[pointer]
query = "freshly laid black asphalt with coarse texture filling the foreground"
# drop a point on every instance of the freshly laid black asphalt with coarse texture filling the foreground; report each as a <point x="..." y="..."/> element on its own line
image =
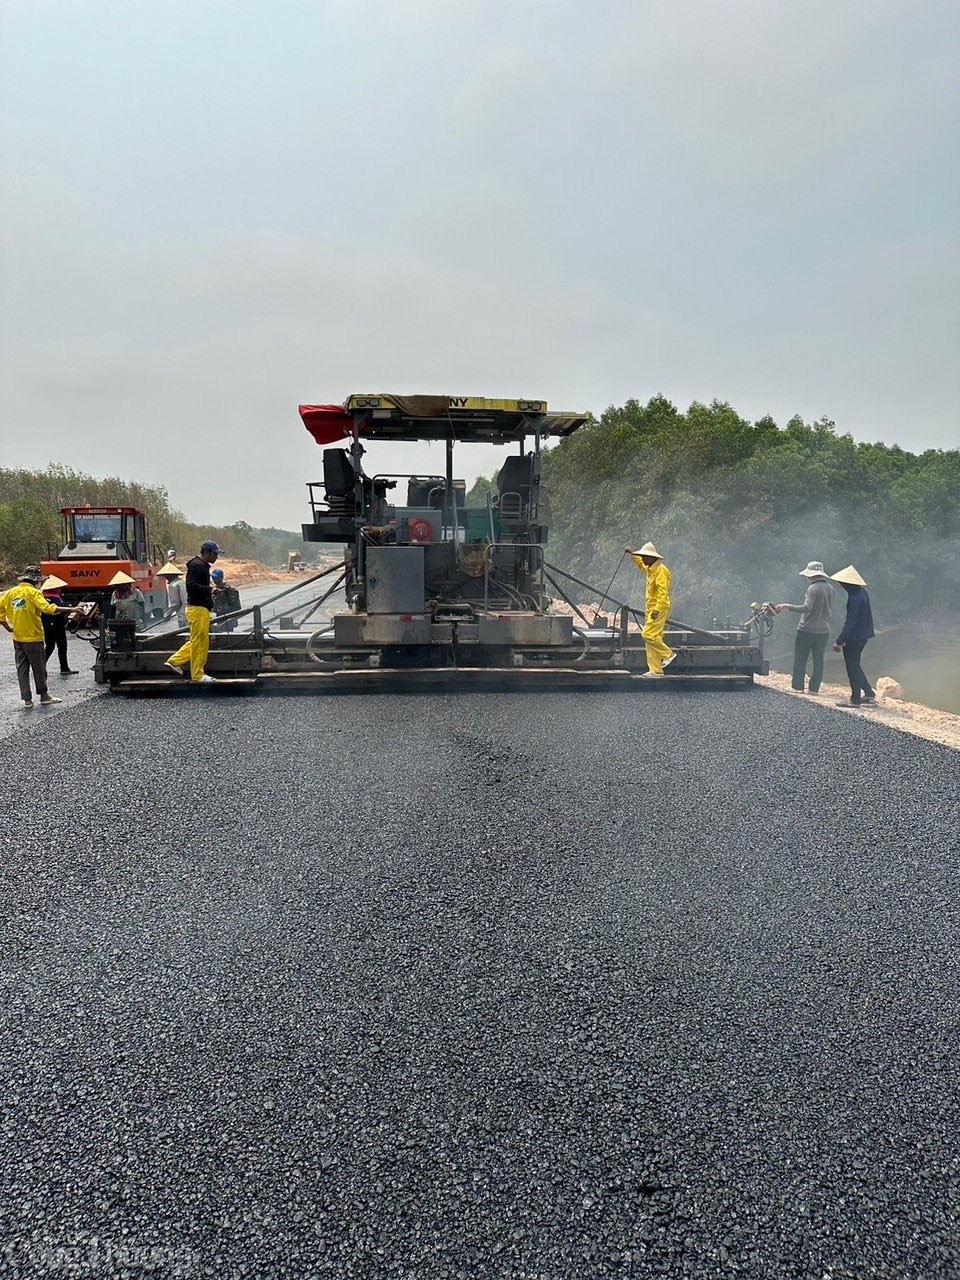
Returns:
<point x="520" y="988"/>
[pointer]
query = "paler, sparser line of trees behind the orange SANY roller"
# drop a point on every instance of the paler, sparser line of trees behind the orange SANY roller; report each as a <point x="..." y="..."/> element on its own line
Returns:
<point x="30" y="519"/>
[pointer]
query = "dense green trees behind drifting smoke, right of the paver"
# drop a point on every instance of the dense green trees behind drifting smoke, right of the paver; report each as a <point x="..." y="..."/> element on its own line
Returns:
<point x="739" y="508"/>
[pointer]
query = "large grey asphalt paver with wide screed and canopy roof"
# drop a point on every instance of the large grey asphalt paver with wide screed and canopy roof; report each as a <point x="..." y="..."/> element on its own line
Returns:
<point x="429" y="589"/>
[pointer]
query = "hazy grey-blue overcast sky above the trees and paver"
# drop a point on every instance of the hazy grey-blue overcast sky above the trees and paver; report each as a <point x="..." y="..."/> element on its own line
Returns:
<point x="216" y="212"/>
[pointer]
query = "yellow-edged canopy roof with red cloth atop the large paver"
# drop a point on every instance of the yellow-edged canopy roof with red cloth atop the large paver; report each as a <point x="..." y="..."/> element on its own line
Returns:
<point x="436" y="418"/>
